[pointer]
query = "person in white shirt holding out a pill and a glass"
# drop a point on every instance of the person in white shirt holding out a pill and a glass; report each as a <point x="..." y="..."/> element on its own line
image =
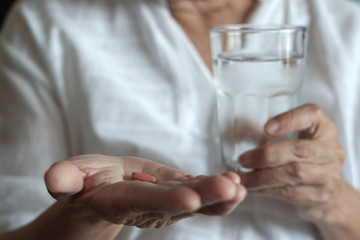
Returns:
<point x="133" y="78"/>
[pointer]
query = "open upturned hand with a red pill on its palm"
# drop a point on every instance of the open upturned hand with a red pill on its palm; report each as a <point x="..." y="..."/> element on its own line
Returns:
<point x="103" y="185"/>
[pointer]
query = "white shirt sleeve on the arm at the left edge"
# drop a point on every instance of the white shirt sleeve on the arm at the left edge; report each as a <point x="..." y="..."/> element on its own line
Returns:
<point x="32" y="128"/>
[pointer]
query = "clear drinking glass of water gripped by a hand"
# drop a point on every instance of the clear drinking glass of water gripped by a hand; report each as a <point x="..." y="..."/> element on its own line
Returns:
<point x="258" y="72"/>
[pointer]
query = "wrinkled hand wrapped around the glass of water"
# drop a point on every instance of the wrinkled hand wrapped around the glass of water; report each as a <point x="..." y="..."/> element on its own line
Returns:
<point x="307" y="171"/>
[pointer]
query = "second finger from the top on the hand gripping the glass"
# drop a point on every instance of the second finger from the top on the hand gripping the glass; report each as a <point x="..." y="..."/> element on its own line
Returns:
<point x="280" y="153"/>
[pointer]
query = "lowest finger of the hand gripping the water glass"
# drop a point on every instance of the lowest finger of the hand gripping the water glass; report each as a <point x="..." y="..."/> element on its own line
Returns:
<point x="302" y="195"/>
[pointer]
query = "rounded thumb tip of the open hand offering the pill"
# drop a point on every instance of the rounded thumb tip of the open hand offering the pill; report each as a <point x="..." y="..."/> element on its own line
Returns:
<point x="64" y="179"/>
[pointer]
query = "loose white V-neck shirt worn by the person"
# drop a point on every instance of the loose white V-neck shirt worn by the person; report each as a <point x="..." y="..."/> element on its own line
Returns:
<point x="122" y="78"/>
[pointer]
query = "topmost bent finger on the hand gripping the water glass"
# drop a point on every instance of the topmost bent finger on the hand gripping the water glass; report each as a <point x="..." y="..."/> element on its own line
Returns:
<point x="309" y="118"/>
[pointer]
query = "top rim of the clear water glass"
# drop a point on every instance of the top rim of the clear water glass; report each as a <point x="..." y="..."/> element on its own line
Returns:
<point x="256" y="28"/>
